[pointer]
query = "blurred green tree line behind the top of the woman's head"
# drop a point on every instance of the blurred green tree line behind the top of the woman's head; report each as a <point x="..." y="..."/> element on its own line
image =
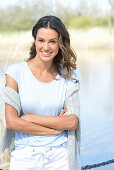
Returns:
<point x="24" y="16"/>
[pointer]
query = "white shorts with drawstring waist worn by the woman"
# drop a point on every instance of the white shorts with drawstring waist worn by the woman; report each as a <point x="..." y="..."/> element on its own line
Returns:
<point x="39" y="158"/>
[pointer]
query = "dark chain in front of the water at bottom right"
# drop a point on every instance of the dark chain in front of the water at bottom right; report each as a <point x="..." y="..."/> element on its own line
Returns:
<point x="97" y="165"/>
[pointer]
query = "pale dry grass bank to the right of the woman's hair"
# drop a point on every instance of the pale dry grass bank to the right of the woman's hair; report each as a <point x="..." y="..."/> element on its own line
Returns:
<point x="94" y="39"/>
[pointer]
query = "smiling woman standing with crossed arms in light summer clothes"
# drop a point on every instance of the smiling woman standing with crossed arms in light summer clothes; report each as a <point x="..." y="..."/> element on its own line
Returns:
<point x="49" y="115"/>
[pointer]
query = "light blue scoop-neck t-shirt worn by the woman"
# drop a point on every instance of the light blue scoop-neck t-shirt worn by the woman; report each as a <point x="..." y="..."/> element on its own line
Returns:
<point x="42" y="99"/>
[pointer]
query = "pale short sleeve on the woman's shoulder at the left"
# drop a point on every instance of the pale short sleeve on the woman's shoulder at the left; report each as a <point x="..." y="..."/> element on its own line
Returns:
<point x="12" y="71"/>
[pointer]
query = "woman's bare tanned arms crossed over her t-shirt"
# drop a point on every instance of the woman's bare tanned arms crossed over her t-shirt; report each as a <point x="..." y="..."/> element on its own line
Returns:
<point x="37" y="124"/>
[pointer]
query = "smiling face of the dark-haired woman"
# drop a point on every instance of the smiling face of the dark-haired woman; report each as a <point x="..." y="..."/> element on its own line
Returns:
<point x="47" y="44"/>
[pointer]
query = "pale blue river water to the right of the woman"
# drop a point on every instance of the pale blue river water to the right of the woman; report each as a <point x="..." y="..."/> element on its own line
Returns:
<point x="95" y="71"/>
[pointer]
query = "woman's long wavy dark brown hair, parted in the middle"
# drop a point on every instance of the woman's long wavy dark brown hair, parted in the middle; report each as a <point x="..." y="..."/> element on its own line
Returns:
<point x="65" y="60"/>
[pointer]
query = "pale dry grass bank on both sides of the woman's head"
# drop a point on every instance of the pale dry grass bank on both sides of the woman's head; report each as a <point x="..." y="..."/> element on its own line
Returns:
<point x="15" y="47"/>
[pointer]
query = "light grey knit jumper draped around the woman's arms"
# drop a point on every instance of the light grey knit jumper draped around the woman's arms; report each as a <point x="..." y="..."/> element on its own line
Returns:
<point x="11" y="97"/>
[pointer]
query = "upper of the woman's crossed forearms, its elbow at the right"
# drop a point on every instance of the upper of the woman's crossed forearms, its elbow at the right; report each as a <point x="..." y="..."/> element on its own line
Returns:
<point x="66" y="122"/>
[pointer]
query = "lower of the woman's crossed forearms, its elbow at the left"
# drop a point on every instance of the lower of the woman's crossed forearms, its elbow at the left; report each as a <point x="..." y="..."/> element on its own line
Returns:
<point x="15" y="123"/>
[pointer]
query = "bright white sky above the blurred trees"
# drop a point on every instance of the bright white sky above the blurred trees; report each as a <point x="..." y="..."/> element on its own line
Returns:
<point x="103" y="5"/>
